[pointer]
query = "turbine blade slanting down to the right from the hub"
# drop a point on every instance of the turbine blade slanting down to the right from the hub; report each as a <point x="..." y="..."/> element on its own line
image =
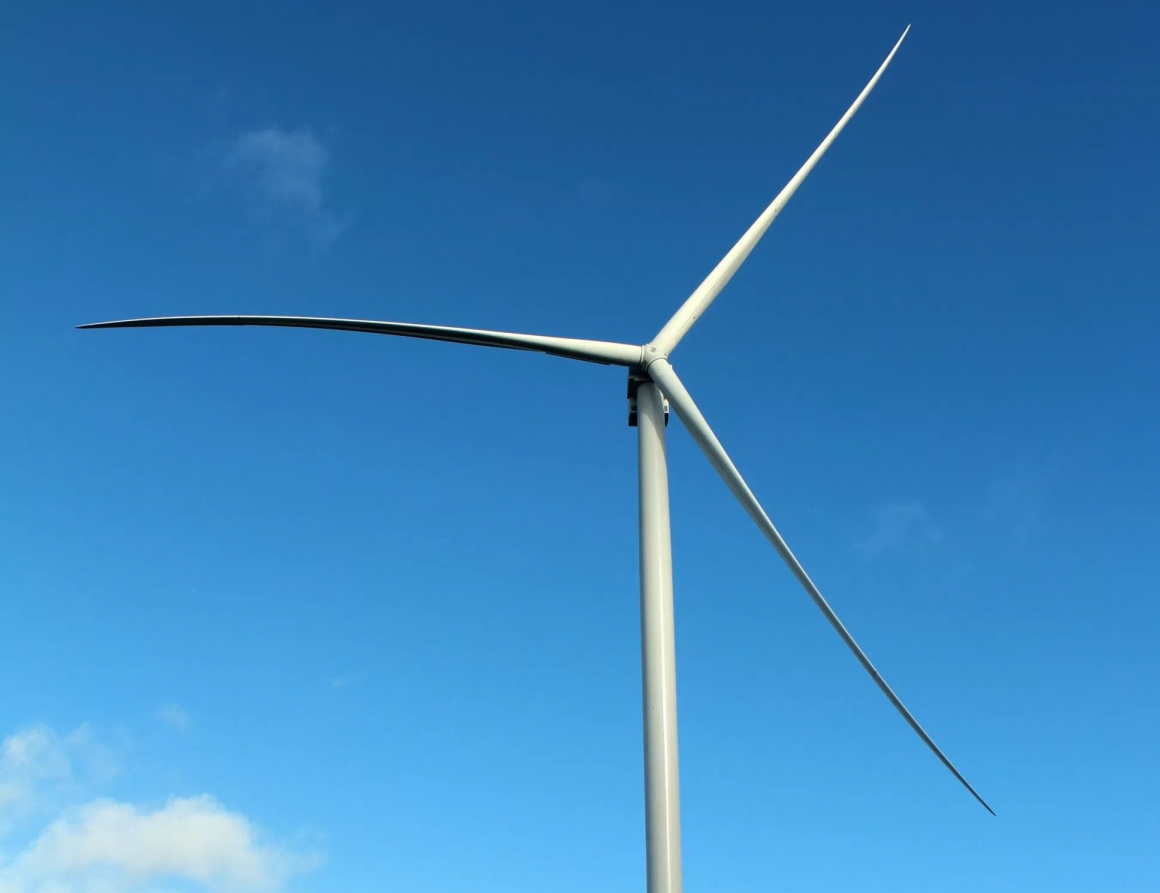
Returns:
<point x="683" y="403"/>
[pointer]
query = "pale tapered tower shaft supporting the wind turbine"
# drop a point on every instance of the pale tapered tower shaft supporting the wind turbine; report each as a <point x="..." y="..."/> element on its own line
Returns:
<point x="658" y="657"/>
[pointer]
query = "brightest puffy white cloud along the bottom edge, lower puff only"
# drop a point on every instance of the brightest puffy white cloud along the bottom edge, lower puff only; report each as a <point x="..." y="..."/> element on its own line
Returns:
<point x="107" y="846"/>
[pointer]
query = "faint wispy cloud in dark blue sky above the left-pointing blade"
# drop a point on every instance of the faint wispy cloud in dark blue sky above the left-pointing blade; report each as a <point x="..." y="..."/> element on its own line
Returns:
<point x="282" y="176"/>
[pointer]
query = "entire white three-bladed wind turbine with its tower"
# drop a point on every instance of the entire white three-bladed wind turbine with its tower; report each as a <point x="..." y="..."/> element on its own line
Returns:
<point x="651" y="381"/>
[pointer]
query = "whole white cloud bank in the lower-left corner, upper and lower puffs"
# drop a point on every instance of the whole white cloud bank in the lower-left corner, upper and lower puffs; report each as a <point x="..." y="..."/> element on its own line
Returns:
<point x="99" y="846"/>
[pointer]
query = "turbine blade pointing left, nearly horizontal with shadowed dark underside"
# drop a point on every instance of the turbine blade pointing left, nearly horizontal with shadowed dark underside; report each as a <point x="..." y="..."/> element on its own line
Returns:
<point x="594" y="352"/>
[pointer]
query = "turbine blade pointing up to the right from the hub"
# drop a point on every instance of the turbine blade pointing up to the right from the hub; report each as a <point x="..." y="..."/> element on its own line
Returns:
<point x="699" y="302"/>
